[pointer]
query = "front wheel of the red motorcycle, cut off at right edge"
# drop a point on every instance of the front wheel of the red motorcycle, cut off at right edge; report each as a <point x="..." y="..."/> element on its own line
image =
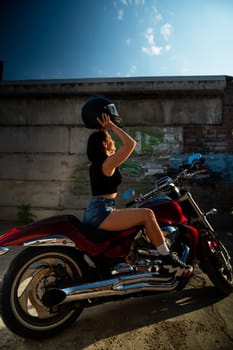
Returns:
<point x="219" y="270"/>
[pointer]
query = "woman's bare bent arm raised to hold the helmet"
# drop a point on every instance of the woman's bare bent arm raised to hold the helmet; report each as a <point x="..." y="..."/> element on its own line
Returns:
<point x="123" y="153"/>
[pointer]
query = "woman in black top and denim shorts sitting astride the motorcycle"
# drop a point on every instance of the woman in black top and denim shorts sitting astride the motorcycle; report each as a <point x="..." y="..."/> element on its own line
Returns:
<point x="105" y="178"/>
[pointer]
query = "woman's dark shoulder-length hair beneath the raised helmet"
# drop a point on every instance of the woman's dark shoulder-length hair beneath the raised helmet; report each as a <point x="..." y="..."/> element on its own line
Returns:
<point x="95" y="148"/>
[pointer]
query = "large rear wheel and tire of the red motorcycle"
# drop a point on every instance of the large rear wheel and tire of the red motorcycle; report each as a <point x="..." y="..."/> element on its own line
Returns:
<point x="24" y="284"/>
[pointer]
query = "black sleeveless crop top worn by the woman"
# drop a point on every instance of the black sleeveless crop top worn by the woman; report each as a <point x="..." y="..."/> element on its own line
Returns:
<point x="102" y="184"/>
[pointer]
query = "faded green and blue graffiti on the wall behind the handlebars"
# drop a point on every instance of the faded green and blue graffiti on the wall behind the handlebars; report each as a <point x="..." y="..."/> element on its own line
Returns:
<point x="160" y="150"/>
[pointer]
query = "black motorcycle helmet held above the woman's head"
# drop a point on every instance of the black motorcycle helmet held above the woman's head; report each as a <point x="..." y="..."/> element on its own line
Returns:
<point x="94" y="108"/>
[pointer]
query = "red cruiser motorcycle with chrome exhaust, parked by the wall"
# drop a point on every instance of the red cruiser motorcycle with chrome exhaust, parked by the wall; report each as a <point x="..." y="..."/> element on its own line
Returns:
<point x="56" y="267"/>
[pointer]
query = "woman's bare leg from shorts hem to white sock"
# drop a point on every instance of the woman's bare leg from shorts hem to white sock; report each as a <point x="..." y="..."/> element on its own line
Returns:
<point x="121" y="219"/>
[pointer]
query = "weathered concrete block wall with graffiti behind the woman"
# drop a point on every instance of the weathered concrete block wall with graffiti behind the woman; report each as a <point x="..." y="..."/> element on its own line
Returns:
<point x="43" y="140"/>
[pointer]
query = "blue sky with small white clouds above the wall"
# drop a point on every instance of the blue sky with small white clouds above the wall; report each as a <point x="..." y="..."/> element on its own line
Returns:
<point x="72" y="39"/>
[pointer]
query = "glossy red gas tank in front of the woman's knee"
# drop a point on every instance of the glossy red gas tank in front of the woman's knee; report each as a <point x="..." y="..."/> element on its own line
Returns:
<point x="167" y="211"/>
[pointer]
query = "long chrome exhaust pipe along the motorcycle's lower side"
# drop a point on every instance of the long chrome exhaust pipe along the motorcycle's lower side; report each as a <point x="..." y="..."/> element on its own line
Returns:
<point x="121" y="285"/>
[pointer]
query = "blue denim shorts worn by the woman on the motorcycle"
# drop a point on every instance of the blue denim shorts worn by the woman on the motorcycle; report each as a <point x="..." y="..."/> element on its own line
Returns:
<point x="98" y="209"/>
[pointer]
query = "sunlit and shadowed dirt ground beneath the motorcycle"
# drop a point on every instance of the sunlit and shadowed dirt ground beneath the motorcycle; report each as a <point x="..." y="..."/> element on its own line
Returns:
<point x="195" y="318"/>
